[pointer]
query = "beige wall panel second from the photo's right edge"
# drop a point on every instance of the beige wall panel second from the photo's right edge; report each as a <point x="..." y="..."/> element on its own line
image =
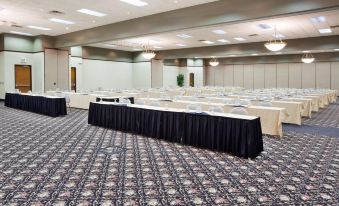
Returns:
<point x="323" y="75"/>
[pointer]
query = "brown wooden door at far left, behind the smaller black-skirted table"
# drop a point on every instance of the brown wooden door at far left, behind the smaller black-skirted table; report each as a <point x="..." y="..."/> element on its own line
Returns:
<point x="23" y="78"/>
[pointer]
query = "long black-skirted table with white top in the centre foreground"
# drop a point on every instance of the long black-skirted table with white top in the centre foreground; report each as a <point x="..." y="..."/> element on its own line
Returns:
<point x="241" y="137"/>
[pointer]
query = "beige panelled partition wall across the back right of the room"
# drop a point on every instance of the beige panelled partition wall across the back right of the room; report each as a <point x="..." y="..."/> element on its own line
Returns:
<point x="286" y="75"/>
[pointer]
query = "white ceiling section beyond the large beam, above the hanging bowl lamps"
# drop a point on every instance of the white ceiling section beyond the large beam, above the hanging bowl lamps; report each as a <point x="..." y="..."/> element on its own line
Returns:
<point x="292" y="27"/>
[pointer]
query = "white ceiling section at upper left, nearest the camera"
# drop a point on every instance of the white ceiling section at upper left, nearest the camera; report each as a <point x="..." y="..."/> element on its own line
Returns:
<point x="35" y="12"/>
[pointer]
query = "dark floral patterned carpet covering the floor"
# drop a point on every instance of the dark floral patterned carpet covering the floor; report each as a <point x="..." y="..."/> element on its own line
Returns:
<point x="65" y="161"/>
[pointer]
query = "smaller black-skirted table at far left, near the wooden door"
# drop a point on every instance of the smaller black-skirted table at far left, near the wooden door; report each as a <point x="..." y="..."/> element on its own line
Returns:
<point x="50" y="106"/>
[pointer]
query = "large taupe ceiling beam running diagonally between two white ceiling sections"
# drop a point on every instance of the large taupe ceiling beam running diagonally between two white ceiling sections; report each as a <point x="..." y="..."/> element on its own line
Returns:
<point x="214" y="13"/>
